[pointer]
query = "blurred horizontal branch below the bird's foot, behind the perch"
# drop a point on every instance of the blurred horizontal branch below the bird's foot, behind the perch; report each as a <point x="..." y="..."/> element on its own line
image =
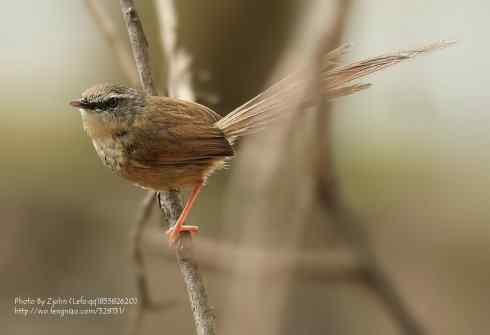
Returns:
<point x="336" y="265"/>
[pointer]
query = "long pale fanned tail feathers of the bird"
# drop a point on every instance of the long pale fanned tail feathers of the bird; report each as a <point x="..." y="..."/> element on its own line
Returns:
<point x="336" y="80"/>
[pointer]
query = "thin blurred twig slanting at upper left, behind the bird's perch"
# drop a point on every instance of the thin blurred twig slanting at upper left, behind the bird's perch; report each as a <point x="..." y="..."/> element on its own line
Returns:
<point x="106" y="26"/>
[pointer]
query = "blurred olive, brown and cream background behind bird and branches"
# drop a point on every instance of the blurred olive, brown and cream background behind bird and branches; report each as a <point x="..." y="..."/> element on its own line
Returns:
<point x="411" y="154"/>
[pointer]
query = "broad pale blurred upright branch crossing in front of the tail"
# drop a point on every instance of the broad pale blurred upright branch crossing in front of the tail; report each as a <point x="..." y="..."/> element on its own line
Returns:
<point x="277" y="193"/>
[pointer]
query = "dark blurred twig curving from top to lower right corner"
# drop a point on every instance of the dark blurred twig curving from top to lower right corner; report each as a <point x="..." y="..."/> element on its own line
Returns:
<point x="345" y="221"/>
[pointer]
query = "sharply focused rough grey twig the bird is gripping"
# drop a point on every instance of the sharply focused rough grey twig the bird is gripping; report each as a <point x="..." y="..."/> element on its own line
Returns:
<point x="170" y="202"/>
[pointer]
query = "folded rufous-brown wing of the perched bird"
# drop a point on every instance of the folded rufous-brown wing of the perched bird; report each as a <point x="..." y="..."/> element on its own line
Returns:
<point x="179" y="133"/>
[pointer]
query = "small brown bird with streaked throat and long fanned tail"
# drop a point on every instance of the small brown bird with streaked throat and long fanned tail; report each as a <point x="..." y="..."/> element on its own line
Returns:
<point x="162" y="143"/>
